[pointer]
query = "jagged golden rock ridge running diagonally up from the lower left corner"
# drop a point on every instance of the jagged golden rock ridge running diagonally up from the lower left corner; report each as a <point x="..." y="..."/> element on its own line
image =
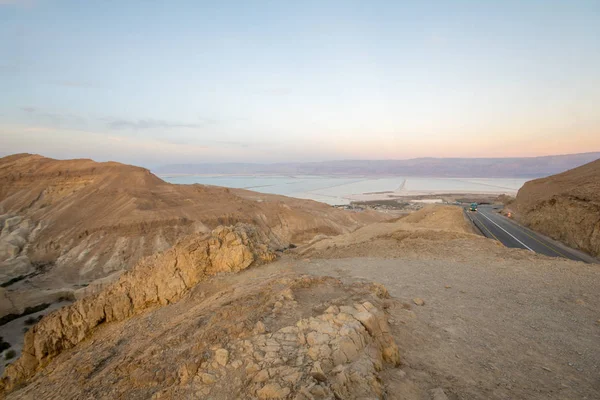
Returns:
<point x="157" y="280"/>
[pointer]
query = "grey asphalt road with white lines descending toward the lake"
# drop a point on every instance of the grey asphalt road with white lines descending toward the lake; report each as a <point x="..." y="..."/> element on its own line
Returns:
<point x="511" y="234"/>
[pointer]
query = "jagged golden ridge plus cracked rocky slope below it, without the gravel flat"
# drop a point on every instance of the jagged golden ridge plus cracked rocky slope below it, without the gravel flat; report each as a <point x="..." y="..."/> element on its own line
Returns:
<point x="278" y="336"/>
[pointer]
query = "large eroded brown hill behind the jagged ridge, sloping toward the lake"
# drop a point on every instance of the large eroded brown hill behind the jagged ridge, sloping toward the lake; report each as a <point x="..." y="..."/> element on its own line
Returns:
<point x="66" y="223"/>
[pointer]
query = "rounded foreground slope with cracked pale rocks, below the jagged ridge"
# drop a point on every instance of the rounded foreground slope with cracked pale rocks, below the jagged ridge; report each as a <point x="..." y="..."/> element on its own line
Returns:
<point x="257" y="336"/>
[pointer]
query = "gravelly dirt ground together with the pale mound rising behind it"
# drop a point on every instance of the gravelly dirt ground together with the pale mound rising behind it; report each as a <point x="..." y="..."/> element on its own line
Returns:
<point x="496" y="323"/>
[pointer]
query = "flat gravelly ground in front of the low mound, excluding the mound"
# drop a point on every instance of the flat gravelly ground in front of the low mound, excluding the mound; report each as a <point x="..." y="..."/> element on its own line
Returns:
<point x="510" y="329"/>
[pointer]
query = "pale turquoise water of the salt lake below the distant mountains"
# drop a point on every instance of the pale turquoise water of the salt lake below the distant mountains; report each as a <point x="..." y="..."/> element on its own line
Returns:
<point x="335" y="190"/>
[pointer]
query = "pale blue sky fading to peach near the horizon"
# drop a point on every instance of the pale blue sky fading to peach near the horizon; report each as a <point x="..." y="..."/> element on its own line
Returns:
<point x="159" y="82"/>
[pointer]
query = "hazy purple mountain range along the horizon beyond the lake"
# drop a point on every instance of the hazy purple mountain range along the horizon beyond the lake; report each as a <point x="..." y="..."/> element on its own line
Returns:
<point x="516" y="167"/>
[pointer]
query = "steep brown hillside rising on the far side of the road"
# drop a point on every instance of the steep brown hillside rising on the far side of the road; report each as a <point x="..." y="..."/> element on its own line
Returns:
<point x="565" y="207"/>
